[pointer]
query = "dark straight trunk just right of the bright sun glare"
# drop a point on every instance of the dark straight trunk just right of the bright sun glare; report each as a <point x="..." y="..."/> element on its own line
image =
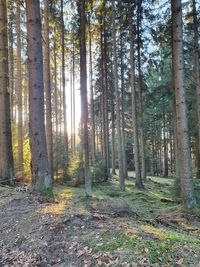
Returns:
<point x="84" y="100"/>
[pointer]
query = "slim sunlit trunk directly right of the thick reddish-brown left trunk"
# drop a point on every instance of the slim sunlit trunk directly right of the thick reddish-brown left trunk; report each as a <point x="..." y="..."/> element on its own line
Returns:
<point x="47" y="87"/>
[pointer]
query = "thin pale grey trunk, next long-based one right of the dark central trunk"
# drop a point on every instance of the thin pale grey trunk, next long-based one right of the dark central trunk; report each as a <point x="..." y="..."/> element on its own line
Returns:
<point x="118" y="124"/>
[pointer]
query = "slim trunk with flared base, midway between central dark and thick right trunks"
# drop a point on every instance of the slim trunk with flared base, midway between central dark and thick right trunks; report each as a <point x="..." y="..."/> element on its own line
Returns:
<point x="138" y="183"/>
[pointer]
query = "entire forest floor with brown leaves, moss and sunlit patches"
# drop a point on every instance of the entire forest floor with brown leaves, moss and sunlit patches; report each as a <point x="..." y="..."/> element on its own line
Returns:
<point x="134" y="228"/>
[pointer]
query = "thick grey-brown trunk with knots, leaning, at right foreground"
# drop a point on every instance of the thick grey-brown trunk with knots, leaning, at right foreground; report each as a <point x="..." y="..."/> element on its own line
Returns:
<point x="187" y="190"/>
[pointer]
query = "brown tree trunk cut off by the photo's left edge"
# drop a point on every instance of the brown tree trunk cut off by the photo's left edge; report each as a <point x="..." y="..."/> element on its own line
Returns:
<point x="6" y="158"/>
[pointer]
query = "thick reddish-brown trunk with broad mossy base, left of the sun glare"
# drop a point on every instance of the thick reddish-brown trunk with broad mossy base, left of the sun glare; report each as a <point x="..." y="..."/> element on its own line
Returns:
<point x="41" y="177"/>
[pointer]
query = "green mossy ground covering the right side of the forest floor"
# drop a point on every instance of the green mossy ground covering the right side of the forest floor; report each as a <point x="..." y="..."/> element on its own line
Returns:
<point x="158" y="243"/>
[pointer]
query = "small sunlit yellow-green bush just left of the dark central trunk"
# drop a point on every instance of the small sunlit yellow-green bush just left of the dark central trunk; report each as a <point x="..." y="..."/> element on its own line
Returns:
<point x="76" y="170"/>
